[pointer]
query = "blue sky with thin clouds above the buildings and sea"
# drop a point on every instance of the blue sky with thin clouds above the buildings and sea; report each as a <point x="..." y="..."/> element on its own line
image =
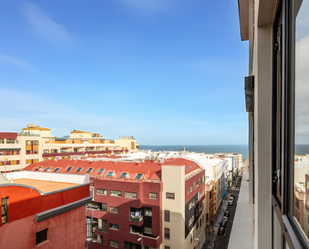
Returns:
<point x="168" y="72"/>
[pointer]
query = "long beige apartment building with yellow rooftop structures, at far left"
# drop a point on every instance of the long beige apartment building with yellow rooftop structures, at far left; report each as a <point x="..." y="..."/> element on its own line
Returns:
<point x="34" y="144"/>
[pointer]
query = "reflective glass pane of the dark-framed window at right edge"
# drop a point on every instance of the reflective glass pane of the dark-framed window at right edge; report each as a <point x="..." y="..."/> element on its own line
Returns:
<point x="301" y="160"/>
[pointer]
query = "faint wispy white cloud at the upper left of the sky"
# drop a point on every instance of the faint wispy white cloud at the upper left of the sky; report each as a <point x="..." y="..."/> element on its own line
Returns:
<point x="44" y="26"/>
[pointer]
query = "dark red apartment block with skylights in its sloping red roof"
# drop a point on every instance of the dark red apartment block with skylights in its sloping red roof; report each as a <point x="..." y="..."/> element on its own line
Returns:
<point x="158" y="203"/>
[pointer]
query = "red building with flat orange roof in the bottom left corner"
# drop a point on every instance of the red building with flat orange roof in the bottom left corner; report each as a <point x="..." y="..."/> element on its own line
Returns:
<point x="41" y="210"/>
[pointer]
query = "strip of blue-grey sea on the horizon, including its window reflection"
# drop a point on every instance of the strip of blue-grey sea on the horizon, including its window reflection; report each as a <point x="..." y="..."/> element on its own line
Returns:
<point x="300" y="149"/>
